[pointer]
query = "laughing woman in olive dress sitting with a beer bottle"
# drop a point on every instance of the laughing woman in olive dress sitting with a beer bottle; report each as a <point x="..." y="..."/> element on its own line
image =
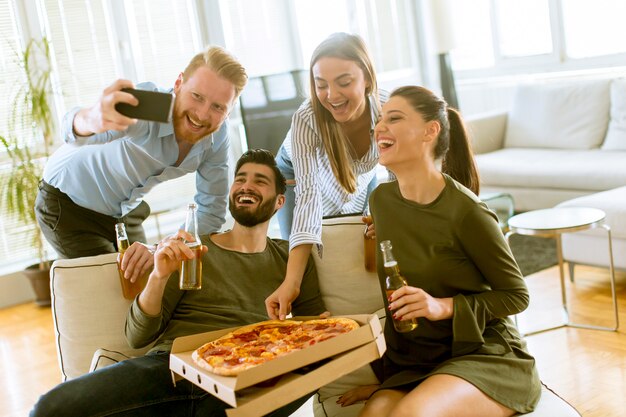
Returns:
<point x="466" y="357"/>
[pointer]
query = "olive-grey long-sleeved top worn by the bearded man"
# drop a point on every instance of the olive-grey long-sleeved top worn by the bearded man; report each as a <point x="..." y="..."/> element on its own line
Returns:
<point x="234" y="288"/>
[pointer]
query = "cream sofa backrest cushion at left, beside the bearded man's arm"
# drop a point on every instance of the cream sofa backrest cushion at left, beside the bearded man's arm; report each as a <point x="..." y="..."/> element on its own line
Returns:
<point x="88" y="311"/>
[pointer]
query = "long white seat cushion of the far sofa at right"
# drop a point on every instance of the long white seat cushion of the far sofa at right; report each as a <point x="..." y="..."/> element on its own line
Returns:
<point x="590" y="170"/>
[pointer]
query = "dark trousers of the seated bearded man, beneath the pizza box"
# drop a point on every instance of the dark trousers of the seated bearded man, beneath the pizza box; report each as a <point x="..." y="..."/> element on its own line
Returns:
<point x="135" y="387"/>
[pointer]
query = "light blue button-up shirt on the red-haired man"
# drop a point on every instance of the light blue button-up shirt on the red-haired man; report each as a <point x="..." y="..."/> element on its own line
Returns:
<point x="110" y="172"/>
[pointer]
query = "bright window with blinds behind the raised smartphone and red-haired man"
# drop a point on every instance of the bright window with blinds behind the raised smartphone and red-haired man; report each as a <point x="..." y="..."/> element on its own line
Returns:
<point x="96" y="42"/>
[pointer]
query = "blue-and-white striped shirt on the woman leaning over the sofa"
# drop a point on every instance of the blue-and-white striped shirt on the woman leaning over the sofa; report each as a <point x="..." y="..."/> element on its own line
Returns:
<point x="318" y="193"/>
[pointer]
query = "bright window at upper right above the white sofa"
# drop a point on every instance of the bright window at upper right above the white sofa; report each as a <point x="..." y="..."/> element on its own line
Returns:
<point x="504" y="37"/>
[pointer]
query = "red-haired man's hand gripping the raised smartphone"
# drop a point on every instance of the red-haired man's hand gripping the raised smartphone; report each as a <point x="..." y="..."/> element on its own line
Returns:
<point x="102" y="116"/>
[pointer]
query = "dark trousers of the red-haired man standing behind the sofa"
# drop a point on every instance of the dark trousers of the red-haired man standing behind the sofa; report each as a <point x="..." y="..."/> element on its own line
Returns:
<point x="75" y="231"/>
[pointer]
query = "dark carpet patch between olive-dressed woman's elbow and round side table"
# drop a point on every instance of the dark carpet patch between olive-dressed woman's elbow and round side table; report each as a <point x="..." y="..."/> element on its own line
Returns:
<point x="533" y="253"/>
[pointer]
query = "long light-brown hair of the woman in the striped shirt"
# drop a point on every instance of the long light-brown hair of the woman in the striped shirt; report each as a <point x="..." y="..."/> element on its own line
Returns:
<point x="352" y="48"/>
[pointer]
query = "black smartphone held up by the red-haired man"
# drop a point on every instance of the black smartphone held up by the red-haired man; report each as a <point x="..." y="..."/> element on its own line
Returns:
<point x="153" y="105"/>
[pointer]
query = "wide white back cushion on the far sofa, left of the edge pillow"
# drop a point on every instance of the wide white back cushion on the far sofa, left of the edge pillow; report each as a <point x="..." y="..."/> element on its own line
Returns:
<point x="572" y="115"/>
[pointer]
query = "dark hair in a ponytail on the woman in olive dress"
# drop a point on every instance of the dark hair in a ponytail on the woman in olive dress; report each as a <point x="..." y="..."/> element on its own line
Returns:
<point x="453" y="145"/>
